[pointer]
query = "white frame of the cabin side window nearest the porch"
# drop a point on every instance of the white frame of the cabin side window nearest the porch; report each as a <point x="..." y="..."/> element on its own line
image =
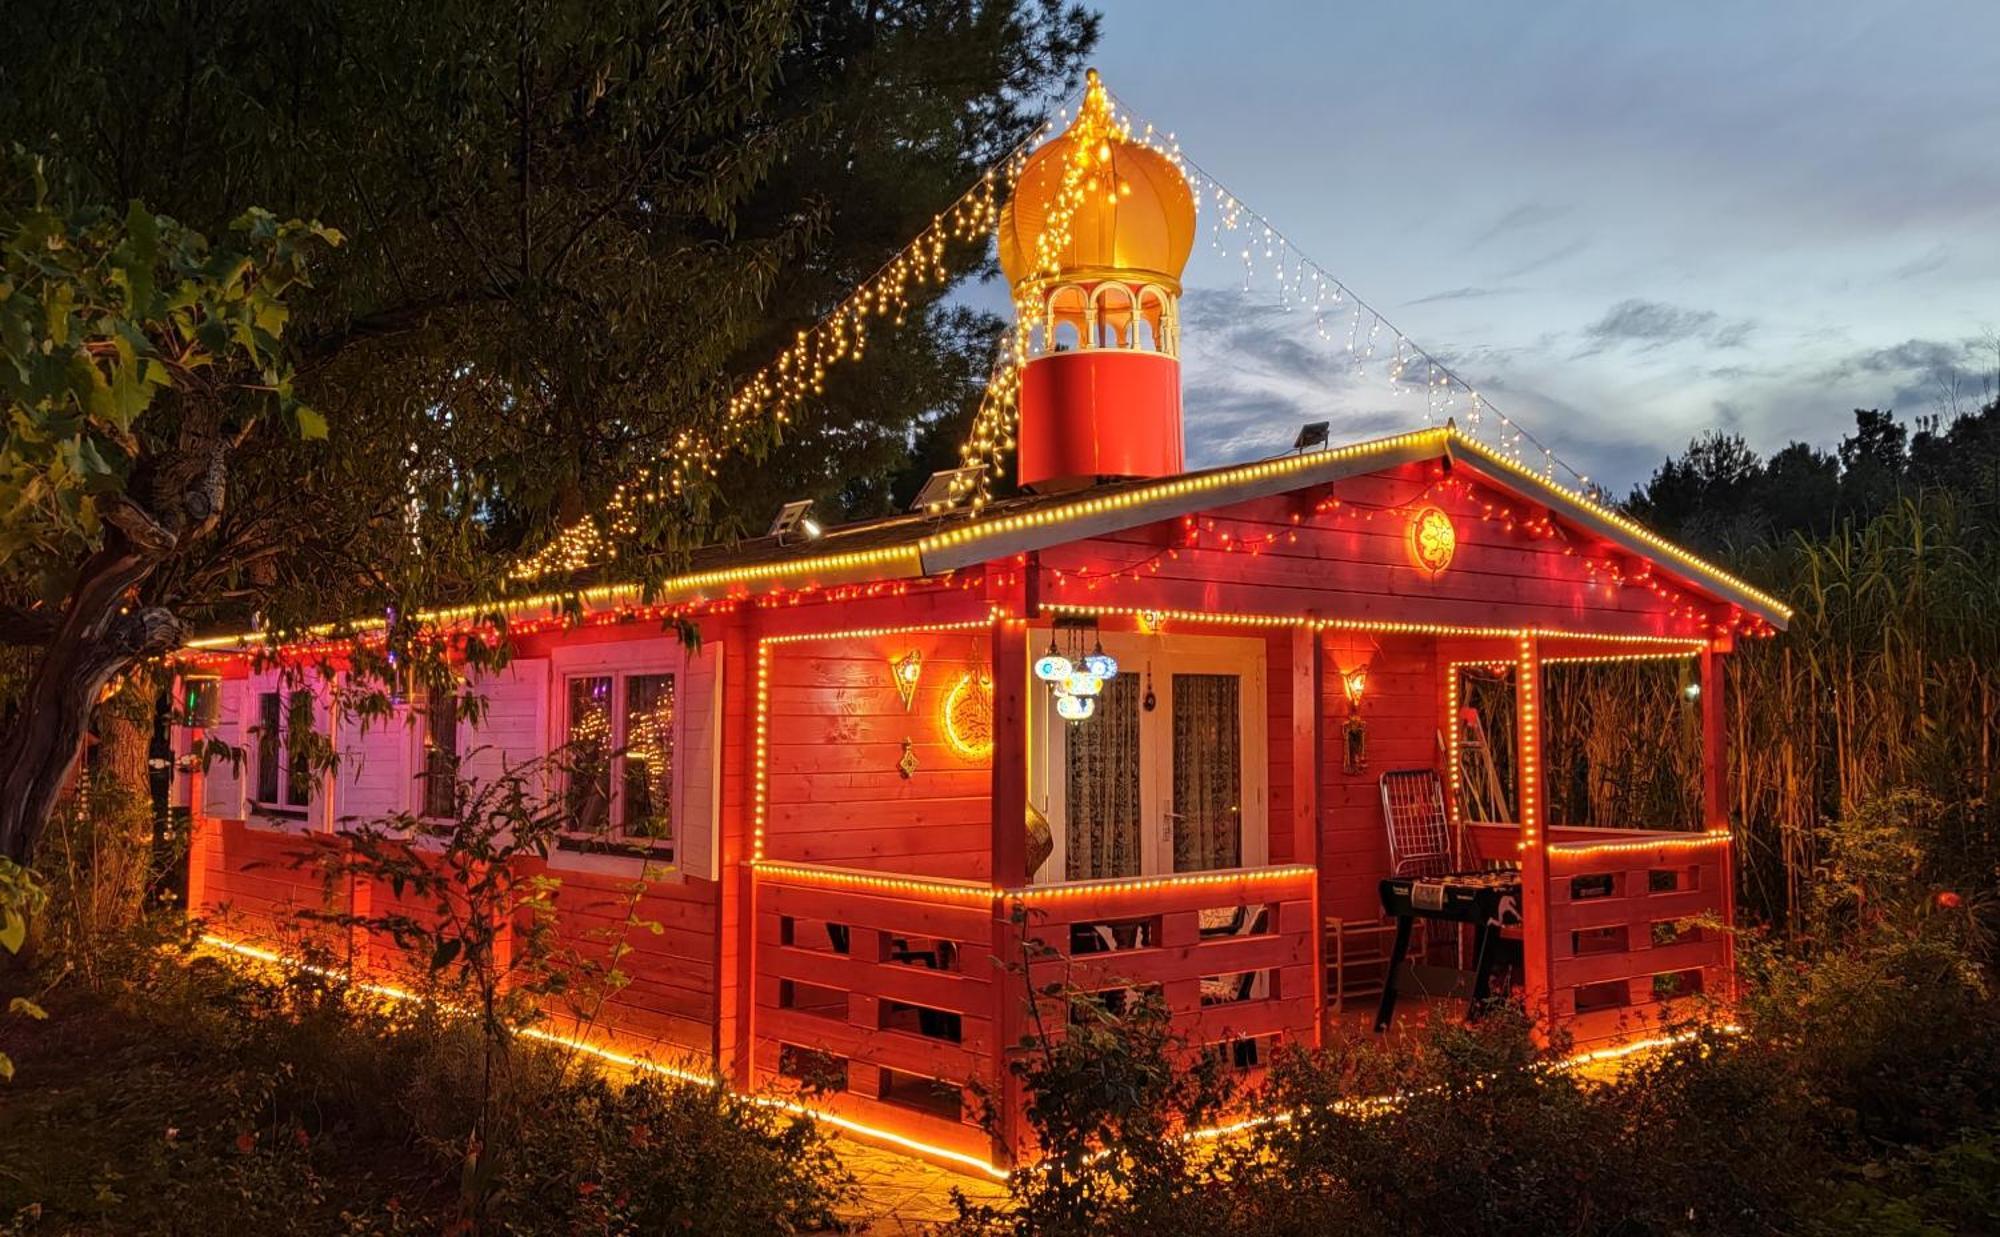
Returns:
<point x="621" y="662"/>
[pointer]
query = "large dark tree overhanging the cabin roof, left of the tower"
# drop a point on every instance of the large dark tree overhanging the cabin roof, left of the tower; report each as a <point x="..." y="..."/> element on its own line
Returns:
<point x="575" y="231"/>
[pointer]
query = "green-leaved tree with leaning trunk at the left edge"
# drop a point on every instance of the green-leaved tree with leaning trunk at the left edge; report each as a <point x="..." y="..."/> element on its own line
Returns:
<point x="137" y="361"/>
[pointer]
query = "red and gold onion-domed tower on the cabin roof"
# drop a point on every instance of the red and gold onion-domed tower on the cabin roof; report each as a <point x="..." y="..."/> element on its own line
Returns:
<point x="1095" y="241"/>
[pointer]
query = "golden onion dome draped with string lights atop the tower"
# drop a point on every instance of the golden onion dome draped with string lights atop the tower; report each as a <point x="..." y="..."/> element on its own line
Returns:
<point x="1135" y="215"/>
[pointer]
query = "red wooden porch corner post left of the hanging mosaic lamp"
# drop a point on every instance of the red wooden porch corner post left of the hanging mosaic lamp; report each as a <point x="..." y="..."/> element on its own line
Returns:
<point x="1009" y="872"/>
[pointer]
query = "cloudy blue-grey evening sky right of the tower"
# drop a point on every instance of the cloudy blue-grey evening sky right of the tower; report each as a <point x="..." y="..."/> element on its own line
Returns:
<point x="1621" y="223"/>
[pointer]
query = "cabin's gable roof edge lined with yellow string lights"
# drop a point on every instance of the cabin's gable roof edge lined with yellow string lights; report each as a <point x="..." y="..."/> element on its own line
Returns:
<point x="921" y="545"/>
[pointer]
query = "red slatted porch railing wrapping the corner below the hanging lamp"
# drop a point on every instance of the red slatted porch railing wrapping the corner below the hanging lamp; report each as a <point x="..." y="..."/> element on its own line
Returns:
<point x="885" y="994"/>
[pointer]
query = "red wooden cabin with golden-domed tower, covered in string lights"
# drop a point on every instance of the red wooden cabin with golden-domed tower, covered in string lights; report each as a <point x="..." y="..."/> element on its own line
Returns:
<point x="873" y="798"/>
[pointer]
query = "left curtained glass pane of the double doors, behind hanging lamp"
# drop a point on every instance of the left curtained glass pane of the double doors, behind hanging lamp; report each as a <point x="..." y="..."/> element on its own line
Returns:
<point x="1103" y="788"/>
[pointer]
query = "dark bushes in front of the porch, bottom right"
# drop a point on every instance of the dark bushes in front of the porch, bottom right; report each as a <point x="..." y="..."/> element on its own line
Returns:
<point x="1863" y="1096"/>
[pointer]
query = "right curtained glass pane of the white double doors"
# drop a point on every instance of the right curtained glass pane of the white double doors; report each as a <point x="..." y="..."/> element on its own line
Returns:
<point x="1209" y="828"/>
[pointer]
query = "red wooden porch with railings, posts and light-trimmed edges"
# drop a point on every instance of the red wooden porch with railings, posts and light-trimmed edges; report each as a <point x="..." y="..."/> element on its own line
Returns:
<point x="897" y="988"/>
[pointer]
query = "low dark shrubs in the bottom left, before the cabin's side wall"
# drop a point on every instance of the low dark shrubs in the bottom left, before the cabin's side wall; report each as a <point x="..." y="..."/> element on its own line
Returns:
<point x="203" y="1100"/>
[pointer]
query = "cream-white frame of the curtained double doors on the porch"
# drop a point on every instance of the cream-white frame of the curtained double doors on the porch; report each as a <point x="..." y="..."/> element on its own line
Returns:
<point x="1169" y="656"/>
